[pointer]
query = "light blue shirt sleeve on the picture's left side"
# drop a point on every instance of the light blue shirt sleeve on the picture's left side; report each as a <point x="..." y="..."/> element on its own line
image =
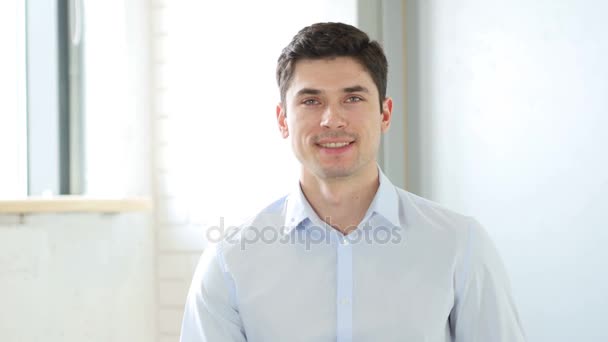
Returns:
<point x="210" y="314"/>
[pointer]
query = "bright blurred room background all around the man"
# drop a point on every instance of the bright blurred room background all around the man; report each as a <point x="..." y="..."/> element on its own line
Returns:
<point x="129" y="128"/>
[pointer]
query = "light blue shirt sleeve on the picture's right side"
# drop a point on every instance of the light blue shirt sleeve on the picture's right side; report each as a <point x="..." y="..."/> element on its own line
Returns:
<point x="484" y="309"/>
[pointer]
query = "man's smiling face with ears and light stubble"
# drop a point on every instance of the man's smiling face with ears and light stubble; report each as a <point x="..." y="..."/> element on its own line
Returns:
<point x="332" y="115"/>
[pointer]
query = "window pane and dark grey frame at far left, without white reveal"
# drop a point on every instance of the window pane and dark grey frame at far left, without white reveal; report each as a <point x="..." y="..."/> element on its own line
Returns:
<point x="38" y="138"/>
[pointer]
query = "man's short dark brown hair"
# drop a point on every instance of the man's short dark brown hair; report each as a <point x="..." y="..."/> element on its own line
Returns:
<point x="330" y="40"/>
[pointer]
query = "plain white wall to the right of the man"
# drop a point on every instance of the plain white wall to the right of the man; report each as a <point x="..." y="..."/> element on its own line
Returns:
<point x="507" y="117"/>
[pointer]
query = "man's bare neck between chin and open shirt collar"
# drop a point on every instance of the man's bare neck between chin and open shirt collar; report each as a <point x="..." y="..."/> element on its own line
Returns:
<point x="341" y="202"/>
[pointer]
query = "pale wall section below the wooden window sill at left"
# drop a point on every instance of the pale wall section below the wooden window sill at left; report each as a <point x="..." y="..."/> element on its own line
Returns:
<point x="77" y="277"/>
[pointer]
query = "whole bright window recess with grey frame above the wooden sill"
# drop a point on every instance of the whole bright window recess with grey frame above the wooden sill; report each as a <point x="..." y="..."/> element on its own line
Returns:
<point x="73" y="89"/>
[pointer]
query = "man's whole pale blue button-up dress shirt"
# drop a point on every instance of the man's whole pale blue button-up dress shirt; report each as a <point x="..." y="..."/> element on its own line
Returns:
<point x="412" y="271"/>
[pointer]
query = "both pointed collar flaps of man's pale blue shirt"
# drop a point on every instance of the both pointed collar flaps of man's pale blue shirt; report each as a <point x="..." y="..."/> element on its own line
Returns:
<point x="385" y="203"/>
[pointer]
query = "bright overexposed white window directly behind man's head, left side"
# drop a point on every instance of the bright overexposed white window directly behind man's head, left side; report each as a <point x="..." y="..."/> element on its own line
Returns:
<point x="220" y="156"/>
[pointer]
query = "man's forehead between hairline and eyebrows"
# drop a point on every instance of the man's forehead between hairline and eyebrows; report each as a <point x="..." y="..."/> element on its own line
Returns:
<point x="330" y="74"/>
